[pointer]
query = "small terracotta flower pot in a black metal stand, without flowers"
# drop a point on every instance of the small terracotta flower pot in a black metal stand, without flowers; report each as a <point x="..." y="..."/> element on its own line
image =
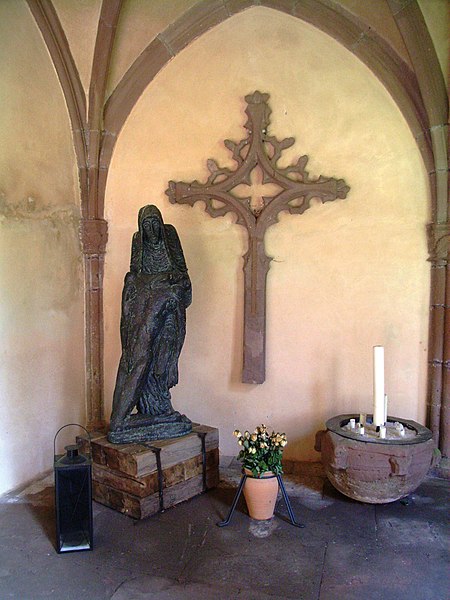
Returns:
<point x="261" y="494"/>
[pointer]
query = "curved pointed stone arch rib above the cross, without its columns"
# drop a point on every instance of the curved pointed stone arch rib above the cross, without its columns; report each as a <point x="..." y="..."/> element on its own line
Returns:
<point x="330" y="18"/>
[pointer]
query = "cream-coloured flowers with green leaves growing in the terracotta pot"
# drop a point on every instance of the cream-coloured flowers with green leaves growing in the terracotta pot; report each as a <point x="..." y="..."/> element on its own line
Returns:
<point x="261" y="452"/>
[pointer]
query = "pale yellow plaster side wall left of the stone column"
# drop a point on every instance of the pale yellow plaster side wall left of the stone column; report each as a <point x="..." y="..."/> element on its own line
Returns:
<point x="41" y="309"/>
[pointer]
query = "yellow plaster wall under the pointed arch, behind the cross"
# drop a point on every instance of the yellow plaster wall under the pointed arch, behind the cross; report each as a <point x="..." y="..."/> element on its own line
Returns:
<point x="345" y="276"/>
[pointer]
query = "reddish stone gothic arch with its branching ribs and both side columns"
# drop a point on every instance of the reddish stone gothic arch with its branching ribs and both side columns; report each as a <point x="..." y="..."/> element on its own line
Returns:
<point x="420" y="95"/>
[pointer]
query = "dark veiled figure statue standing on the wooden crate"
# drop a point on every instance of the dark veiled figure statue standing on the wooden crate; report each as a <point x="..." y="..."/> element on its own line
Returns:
<point x="156" y="293"/>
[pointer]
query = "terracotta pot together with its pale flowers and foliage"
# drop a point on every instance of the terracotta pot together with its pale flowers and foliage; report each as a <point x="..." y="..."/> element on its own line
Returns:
<point x="261" y="455"/>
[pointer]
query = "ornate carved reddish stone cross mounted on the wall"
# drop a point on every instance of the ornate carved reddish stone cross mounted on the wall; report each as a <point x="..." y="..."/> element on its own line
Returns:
<point x="257" y="190"/>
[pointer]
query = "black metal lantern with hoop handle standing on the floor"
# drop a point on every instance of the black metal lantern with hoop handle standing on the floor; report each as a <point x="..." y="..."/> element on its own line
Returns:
<point x="73" y="497"/>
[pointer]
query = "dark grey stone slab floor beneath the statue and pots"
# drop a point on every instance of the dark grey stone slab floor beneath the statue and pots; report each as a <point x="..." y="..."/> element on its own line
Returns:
<point x="347" y="550"/>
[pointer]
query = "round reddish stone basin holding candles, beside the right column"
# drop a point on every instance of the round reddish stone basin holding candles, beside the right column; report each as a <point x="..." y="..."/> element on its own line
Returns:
<point x="374" y="470"/>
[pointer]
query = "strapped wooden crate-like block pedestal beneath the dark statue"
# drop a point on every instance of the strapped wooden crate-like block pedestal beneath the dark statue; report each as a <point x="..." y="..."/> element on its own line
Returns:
<point x="128" y="478"/>
